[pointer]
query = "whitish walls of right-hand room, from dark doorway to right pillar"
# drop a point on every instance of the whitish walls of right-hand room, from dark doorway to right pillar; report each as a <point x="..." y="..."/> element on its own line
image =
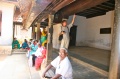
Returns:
<point x="88" y="31"/>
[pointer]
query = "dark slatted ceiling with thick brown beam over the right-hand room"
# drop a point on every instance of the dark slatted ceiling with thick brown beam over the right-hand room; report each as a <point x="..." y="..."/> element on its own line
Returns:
<point x="88" y="8"/>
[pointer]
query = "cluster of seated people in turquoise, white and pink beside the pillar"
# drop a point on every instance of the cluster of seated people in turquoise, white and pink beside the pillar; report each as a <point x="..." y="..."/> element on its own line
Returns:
<point x="36" y="54"/>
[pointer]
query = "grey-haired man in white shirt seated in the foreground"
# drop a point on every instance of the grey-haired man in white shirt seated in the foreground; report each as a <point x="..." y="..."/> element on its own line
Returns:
<point x="62" y="65"/>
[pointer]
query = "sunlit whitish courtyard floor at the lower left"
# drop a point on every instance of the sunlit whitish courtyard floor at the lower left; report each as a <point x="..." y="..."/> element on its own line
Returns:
<point x="16" y="66"/>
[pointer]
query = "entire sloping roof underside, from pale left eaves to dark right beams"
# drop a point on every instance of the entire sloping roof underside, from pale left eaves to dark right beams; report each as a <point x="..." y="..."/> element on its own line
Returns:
<point x="33" y="11"/>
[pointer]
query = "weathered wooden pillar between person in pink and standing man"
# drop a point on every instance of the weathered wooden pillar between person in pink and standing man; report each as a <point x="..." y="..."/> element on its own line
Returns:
<point x="49" y="45"/>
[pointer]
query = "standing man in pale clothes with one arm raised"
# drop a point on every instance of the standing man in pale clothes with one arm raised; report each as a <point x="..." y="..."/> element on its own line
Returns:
<point x="65" y="29"/>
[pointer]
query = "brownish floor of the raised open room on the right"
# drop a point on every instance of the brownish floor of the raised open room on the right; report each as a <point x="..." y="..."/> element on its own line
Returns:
<point x="97" y="57"/>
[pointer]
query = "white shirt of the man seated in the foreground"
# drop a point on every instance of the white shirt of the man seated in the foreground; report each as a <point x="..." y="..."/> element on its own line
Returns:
<point x="63" y="68"/>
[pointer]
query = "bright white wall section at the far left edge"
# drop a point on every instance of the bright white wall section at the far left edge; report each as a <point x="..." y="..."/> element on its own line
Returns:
<point x="7" y="23"/>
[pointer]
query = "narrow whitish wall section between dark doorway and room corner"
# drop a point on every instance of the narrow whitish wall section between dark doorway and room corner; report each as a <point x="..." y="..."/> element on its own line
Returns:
<point x="81" y="34"/>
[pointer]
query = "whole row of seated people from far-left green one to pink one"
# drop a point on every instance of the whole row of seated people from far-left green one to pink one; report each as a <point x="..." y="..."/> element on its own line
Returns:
<point x="36" y="51"/>
